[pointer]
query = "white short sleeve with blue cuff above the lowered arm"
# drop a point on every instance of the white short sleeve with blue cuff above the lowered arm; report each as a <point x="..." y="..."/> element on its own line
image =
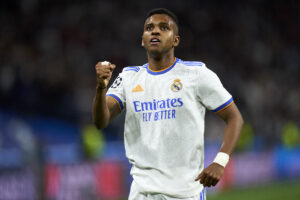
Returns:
<point x="211" y="92"/>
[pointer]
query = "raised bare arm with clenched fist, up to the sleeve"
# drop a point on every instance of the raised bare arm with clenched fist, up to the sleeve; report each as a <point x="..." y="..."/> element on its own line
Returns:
<point x="104" y="108"/>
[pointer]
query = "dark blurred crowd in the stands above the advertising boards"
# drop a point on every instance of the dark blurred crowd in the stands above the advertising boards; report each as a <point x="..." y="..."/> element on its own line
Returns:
<point x="48" y="50"/>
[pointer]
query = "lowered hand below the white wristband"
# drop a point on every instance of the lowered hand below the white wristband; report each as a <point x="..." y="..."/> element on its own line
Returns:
<point x="211" y="175"/>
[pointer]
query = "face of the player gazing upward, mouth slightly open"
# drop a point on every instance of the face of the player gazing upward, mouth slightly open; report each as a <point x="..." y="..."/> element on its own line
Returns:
<point x="160" y="34"/>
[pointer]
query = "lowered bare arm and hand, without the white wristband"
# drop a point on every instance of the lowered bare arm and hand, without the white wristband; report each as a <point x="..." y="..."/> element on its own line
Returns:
<point x="211" y="175"/>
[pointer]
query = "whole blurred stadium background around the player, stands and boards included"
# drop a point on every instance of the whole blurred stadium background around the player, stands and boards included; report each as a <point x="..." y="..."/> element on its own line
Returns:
<point x="49" y="148"/>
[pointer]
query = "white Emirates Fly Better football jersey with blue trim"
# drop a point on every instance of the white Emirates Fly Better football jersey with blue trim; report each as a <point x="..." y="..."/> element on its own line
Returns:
<point x="164" y="125"/>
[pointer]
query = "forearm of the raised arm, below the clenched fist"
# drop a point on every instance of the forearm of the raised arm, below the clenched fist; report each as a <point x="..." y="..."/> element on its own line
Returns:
<point x="101" y="114"/>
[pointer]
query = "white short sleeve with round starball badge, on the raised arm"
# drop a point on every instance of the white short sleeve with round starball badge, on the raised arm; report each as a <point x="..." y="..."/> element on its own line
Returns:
<point x="116" y="91"/>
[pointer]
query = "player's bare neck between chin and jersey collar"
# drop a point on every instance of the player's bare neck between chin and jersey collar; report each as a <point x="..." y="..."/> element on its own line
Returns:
<point x="160" y="62"/>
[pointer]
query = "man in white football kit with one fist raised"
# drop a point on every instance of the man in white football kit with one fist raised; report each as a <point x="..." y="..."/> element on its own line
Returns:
<point x="165" y="102"/>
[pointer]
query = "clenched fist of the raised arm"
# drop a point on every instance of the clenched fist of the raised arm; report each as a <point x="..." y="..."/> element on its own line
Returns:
<point x="104" y="73"/>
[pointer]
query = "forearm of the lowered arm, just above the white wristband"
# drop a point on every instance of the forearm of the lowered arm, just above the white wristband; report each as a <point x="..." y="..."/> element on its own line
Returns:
<point x="231" y="134"/>
